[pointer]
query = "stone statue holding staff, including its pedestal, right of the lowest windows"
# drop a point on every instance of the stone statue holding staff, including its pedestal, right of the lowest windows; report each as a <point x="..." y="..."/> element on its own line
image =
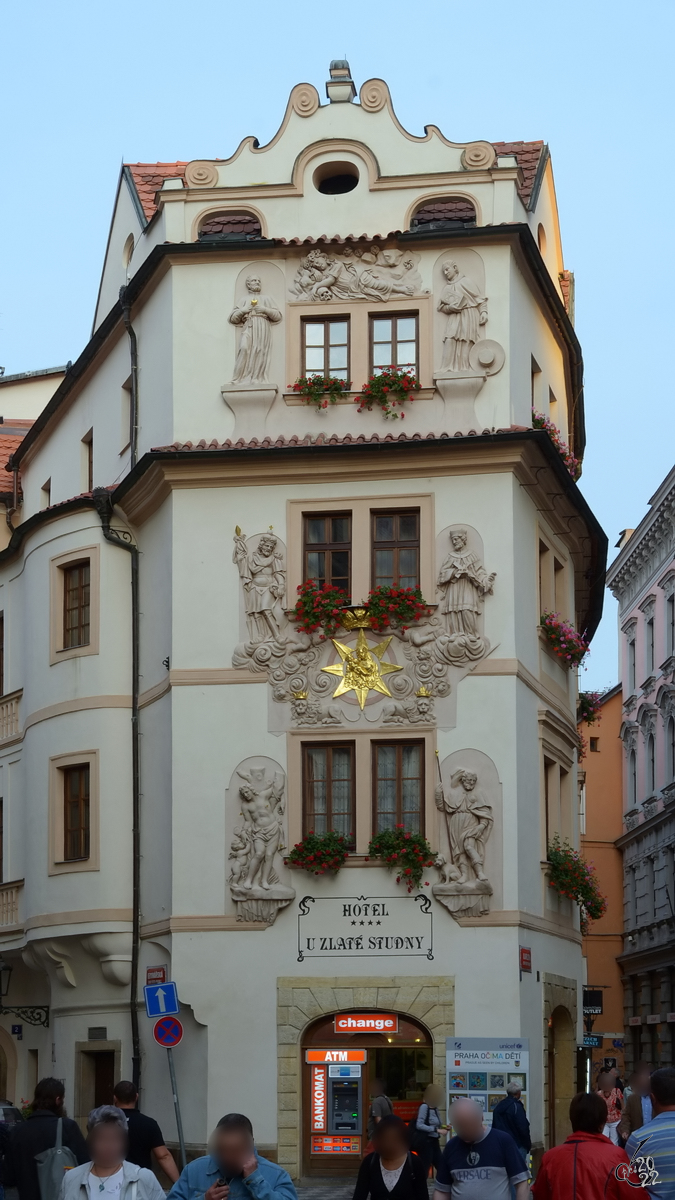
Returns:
<point x="465" y="890"/>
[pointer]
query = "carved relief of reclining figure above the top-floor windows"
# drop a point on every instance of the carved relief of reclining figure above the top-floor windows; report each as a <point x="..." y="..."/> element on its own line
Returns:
<point x="368" y="273"/>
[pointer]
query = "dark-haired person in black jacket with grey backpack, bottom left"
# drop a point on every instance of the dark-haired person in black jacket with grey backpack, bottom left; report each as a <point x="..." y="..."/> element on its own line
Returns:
<point x="31" y="1138"/>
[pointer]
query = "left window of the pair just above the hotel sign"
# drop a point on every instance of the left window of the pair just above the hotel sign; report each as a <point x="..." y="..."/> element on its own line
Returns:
<point x="328" y="789"/>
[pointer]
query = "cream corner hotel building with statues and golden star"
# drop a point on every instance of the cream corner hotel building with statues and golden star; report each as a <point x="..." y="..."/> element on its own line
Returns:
<point x="177" y="731"/>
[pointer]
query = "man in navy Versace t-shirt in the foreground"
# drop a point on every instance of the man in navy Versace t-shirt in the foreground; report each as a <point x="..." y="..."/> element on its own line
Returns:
<point x="480" y="1163"/>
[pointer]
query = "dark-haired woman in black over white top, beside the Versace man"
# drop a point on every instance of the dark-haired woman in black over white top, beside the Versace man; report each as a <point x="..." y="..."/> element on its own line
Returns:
<point x="391" y="1172"/>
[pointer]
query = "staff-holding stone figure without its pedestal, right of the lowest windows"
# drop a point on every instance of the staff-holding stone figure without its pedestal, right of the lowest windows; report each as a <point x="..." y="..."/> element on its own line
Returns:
<point x="469" y="819"/>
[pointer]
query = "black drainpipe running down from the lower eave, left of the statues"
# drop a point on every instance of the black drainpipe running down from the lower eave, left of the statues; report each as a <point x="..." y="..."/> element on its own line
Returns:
<point x="123" y="539"/>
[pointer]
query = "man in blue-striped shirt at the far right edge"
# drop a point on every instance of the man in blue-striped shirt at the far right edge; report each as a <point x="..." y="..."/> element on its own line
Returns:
<point x="656" y="1139"/>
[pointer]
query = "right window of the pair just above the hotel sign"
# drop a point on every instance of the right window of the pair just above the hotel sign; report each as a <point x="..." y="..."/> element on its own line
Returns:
<point x="398" y="770"/>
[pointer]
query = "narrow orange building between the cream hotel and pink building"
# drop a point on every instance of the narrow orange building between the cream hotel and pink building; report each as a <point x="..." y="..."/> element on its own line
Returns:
<point x="602" y="824"/>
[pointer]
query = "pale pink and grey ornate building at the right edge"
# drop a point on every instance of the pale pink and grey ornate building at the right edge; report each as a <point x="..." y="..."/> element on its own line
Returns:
<point x="643" y="580"/>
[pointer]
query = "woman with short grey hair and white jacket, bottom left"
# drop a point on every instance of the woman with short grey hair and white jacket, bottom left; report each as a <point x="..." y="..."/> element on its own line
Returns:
<point x="109" y="1177"/>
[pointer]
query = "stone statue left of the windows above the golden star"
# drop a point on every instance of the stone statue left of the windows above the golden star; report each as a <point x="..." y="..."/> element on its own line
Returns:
<point x="264" y="578"/>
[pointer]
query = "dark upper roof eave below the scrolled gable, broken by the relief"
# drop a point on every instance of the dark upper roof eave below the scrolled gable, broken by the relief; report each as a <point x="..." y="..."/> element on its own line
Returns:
<point x="186" y="250"/>
